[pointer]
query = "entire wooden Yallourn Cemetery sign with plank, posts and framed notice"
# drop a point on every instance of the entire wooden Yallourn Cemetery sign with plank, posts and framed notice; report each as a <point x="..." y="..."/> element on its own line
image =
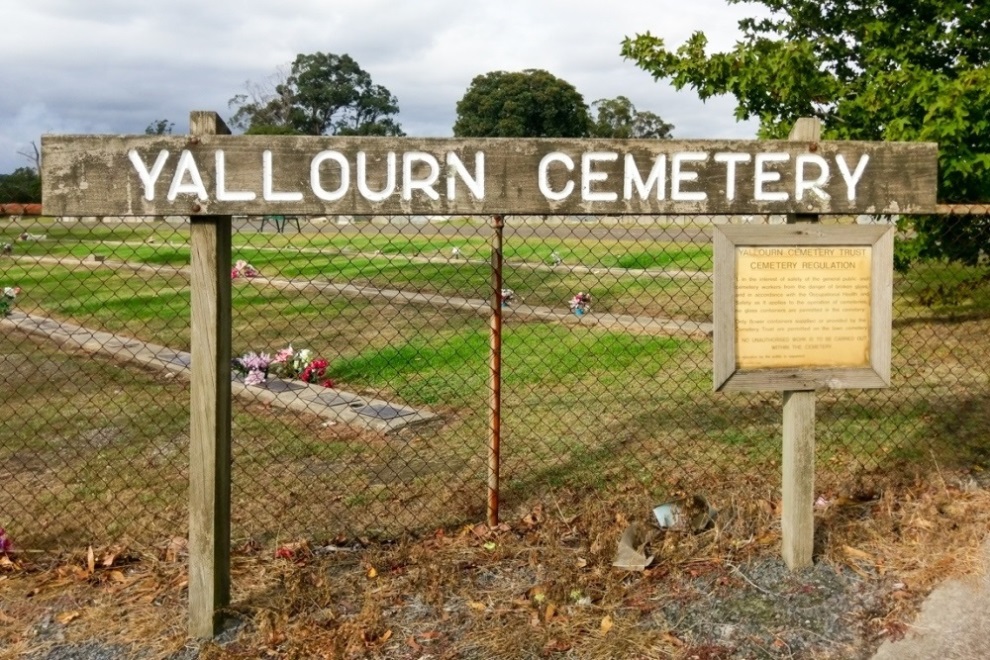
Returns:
<point x="211" y="175"/>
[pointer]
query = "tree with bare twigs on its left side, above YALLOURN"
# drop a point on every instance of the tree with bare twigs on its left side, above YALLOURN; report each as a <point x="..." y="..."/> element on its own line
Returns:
<point x="321" y="94"/>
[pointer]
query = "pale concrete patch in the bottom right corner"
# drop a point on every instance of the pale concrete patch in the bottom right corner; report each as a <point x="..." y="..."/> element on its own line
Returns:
<point x="953" y="624"/>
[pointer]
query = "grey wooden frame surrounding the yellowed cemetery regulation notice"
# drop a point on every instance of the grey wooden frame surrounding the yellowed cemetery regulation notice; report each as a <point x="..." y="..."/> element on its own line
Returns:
<point x="728" y="375"/>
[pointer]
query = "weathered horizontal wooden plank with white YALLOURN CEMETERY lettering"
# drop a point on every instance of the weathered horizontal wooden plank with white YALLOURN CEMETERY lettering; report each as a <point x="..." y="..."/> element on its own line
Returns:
<point x="220" y="175"/>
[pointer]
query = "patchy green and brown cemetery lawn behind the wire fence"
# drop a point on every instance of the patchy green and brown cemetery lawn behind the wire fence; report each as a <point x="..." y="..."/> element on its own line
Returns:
<point x="582" y="406"/>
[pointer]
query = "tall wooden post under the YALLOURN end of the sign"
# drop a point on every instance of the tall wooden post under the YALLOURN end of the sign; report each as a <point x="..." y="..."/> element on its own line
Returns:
<point x="209" y="428"/>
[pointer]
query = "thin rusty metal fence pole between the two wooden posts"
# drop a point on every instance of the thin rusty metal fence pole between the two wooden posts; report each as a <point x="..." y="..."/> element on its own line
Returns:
<point x="495" y="368"/>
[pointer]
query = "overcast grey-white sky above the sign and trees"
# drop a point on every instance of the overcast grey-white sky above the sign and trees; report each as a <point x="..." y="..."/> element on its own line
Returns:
<point x="114" y="66"/>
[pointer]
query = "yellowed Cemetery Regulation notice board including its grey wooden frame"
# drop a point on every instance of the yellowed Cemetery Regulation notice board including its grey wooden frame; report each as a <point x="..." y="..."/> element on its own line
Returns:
<point x="802" y="307"/>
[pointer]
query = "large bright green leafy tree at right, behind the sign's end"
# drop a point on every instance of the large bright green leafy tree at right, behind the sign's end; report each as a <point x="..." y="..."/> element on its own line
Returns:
<point x="870" y="70"/>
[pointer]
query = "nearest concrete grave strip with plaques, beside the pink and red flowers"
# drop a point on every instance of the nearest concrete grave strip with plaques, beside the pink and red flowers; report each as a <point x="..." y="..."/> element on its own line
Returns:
<point x="331" y="404"/>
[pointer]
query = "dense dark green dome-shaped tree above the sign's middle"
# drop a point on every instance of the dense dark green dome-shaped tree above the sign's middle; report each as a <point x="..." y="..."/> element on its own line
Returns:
<point x="530" y="103"/>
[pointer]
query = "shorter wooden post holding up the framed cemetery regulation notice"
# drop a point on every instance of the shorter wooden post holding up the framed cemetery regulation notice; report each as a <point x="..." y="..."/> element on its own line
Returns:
<point x="797" y="521"/>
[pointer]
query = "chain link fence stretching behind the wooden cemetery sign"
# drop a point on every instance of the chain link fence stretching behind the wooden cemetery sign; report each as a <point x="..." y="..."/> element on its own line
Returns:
<point x="363" y="384"/>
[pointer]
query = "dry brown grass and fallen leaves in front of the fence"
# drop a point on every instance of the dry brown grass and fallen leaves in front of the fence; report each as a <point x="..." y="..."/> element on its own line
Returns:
<point x="540" y="584"/>
